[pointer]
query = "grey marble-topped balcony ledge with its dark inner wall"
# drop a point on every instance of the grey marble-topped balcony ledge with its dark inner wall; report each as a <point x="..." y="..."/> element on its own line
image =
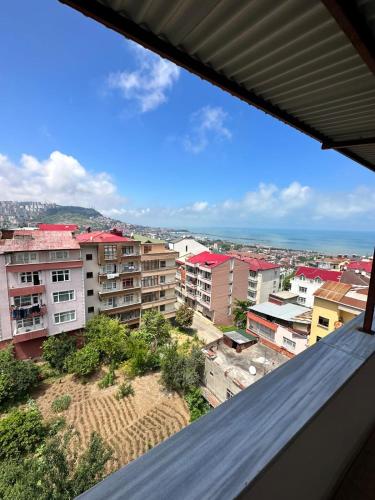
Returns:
<point x="317" y="409"/>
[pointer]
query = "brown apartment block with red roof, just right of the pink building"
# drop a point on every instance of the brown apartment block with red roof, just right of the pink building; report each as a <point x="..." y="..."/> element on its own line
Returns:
<point x="112" y="273"/>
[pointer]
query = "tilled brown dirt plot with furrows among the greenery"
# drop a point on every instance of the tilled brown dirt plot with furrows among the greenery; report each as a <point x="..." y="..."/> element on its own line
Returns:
<point x="130" y="426"/>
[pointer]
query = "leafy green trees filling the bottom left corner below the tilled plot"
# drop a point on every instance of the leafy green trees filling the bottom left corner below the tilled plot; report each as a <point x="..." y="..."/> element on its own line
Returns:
<point x="55" y="472"/>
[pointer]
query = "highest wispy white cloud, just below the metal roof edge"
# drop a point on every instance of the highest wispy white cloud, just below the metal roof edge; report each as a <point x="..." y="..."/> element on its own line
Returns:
<point x="149" y="83"/>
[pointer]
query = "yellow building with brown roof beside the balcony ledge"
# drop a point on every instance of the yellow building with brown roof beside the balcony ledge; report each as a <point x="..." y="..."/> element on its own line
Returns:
<point x="334" y="305"/>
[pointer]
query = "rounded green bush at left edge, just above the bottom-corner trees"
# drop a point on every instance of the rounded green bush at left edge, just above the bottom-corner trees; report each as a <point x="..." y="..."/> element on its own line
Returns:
<point x="21" y="432"/>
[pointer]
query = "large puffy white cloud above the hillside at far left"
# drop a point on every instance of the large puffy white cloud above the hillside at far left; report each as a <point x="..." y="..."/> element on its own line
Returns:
<point x="59" y="179"/>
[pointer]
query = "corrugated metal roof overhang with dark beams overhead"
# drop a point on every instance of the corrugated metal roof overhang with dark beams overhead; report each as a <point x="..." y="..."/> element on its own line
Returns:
<point x="309" y="63"/>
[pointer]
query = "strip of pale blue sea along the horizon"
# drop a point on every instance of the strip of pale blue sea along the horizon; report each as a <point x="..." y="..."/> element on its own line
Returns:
<point x="325" y="241"/>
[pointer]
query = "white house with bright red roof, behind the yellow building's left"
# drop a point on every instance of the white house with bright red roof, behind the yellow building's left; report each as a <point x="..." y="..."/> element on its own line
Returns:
<point x="308" y="279"/>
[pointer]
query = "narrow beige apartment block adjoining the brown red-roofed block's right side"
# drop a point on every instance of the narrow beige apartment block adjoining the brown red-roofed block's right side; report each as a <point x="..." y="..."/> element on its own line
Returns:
<point x="158" y="276"/>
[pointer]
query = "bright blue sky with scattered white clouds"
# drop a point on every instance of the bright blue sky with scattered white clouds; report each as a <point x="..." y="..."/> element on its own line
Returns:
<point x="91" y="119"/>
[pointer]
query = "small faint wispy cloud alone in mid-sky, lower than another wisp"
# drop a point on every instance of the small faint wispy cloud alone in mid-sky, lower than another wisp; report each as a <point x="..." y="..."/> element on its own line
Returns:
<point x="207" y="124"/>
